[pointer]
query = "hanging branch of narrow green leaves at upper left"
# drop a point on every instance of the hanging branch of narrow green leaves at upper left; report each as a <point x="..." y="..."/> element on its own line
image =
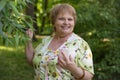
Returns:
<point x="13" y="21"/>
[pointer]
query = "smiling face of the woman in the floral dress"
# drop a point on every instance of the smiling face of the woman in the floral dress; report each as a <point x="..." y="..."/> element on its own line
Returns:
<point x="64" y="24"/>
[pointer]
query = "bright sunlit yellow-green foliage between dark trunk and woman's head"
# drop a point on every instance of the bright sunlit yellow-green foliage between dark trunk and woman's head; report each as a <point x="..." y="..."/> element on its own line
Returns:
<point x="42" y="13"/>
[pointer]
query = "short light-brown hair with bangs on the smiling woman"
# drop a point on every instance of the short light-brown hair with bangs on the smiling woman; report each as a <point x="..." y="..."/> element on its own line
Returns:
<point x="61" y="8"/>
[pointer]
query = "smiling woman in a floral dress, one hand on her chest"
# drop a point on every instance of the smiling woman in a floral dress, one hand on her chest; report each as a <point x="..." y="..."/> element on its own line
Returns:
<point x="64" y="56"/>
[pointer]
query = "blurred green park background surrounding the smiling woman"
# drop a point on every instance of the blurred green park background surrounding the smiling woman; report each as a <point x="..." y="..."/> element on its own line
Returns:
<point x="98" y="22"/>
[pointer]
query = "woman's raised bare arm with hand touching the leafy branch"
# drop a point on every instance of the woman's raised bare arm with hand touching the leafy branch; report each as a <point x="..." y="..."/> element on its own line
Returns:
<point x="29" y="48"/>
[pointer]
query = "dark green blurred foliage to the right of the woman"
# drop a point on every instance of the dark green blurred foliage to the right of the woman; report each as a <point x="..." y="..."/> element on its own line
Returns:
<point x="98" y="23"/>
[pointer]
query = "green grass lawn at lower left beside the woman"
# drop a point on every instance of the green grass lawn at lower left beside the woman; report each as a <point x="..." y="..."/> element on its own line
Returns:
<point x="13" y="64"/>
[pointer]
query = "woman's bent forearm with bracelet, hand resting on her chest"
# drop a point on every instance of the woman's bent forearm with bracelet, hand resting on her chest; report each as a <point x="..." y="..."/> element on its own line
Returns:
<point x="69" y="64"/>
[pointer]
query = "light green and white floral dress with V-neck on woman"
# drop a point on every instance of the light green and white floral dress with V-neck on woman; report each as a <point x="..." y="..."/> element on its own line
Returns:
<point x="45" y="60"/>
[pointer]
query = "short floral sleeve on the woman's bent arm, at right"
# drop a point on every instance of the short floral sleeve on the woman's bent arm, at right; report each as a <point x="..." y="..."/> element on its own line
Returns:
<point x="84" y="56"/>
